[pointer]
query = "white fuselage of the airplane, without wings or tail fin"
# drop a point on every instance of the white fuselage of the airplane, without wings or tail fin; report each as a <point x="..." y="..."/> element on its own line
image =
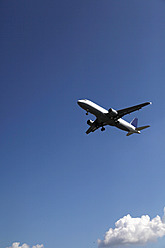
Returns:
<point x="102" y="115"/>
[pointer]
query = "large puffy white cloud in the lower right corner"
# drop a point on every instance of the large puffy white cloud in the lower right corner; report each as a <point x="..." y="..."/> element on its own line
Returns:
<point x="134" y="231"/>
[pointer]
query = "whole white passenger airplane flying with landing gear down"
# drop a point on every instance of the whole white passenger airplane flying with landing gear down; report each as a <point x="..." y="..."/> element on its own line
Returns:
<point x="111" y="117"/>
